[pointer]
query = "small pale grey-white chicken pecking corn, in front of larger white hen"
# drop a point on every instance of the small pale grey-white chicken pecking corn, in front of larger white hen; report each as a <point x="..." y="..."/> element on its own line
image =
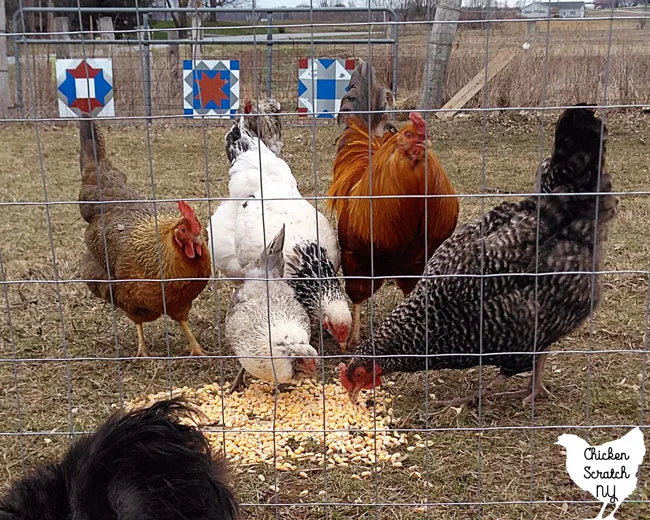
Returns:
<point x="266" y="326"/>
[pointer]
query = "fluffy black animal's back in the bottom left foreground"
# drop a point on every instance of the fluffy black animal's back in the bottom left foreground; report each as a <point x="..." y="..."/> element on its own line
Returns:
<point x="143" y="465"/>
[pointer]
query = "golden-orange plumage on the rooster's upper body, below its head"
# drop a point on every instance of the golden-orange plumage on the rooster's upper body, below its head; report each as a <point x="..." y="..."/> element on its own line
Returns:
<point x="389" y="171"/>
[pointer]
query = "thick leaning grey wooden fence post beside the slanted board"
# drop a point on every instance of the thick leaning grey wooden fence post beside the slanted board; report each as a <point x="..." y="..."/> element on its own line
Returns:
<point x="441" y="39"/>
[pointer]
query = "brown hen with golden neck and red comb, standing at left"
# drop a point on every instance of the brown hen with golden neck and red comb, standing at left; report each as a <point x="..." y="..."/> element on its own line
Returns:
<point x="130" y="240"/>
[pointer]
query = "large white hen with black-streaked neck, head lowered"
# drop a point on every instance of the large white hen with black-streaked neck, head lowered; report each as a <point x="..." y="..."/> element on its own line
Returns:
<point x="311" y="249"/>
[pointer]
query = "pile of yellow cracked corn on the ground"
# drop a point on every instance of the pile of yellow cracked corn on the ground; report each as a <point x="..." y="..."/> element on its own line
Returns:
<point x="312" y="422"/>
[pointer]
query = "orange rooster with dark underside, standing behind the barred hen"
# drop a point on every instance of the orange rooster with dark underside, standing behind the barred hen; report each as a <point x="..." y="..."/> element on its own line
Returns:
<point x="402" y="241"/>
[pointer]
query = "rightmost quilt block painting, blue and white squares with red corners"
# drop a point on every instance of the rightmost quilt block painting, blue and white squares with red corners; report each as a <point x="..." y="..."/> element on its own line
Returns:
<point x="322" y="83"/>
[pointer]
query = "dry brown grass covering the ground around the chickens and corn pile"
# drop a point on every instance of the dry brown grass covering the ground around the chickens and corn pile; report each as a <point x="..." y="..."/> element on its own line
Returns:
<point x="505" y="461"/>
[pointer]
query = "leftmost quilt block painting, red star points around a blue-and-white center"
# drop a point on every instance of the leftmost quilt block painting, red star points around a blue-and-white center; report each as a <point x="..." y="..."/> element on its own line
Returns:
<point x="85" y="86"/>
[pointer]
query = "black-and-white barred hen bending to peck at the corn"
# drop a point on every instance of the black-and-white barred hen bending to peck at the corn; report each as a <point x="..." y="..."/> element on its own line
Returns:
<point x="520" y="315"/>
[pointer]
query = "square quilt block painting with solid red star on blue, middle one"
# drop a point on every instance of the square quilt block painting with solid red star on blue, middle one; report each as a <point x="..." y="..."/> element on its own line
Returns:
<point x="211" y="88"/>
